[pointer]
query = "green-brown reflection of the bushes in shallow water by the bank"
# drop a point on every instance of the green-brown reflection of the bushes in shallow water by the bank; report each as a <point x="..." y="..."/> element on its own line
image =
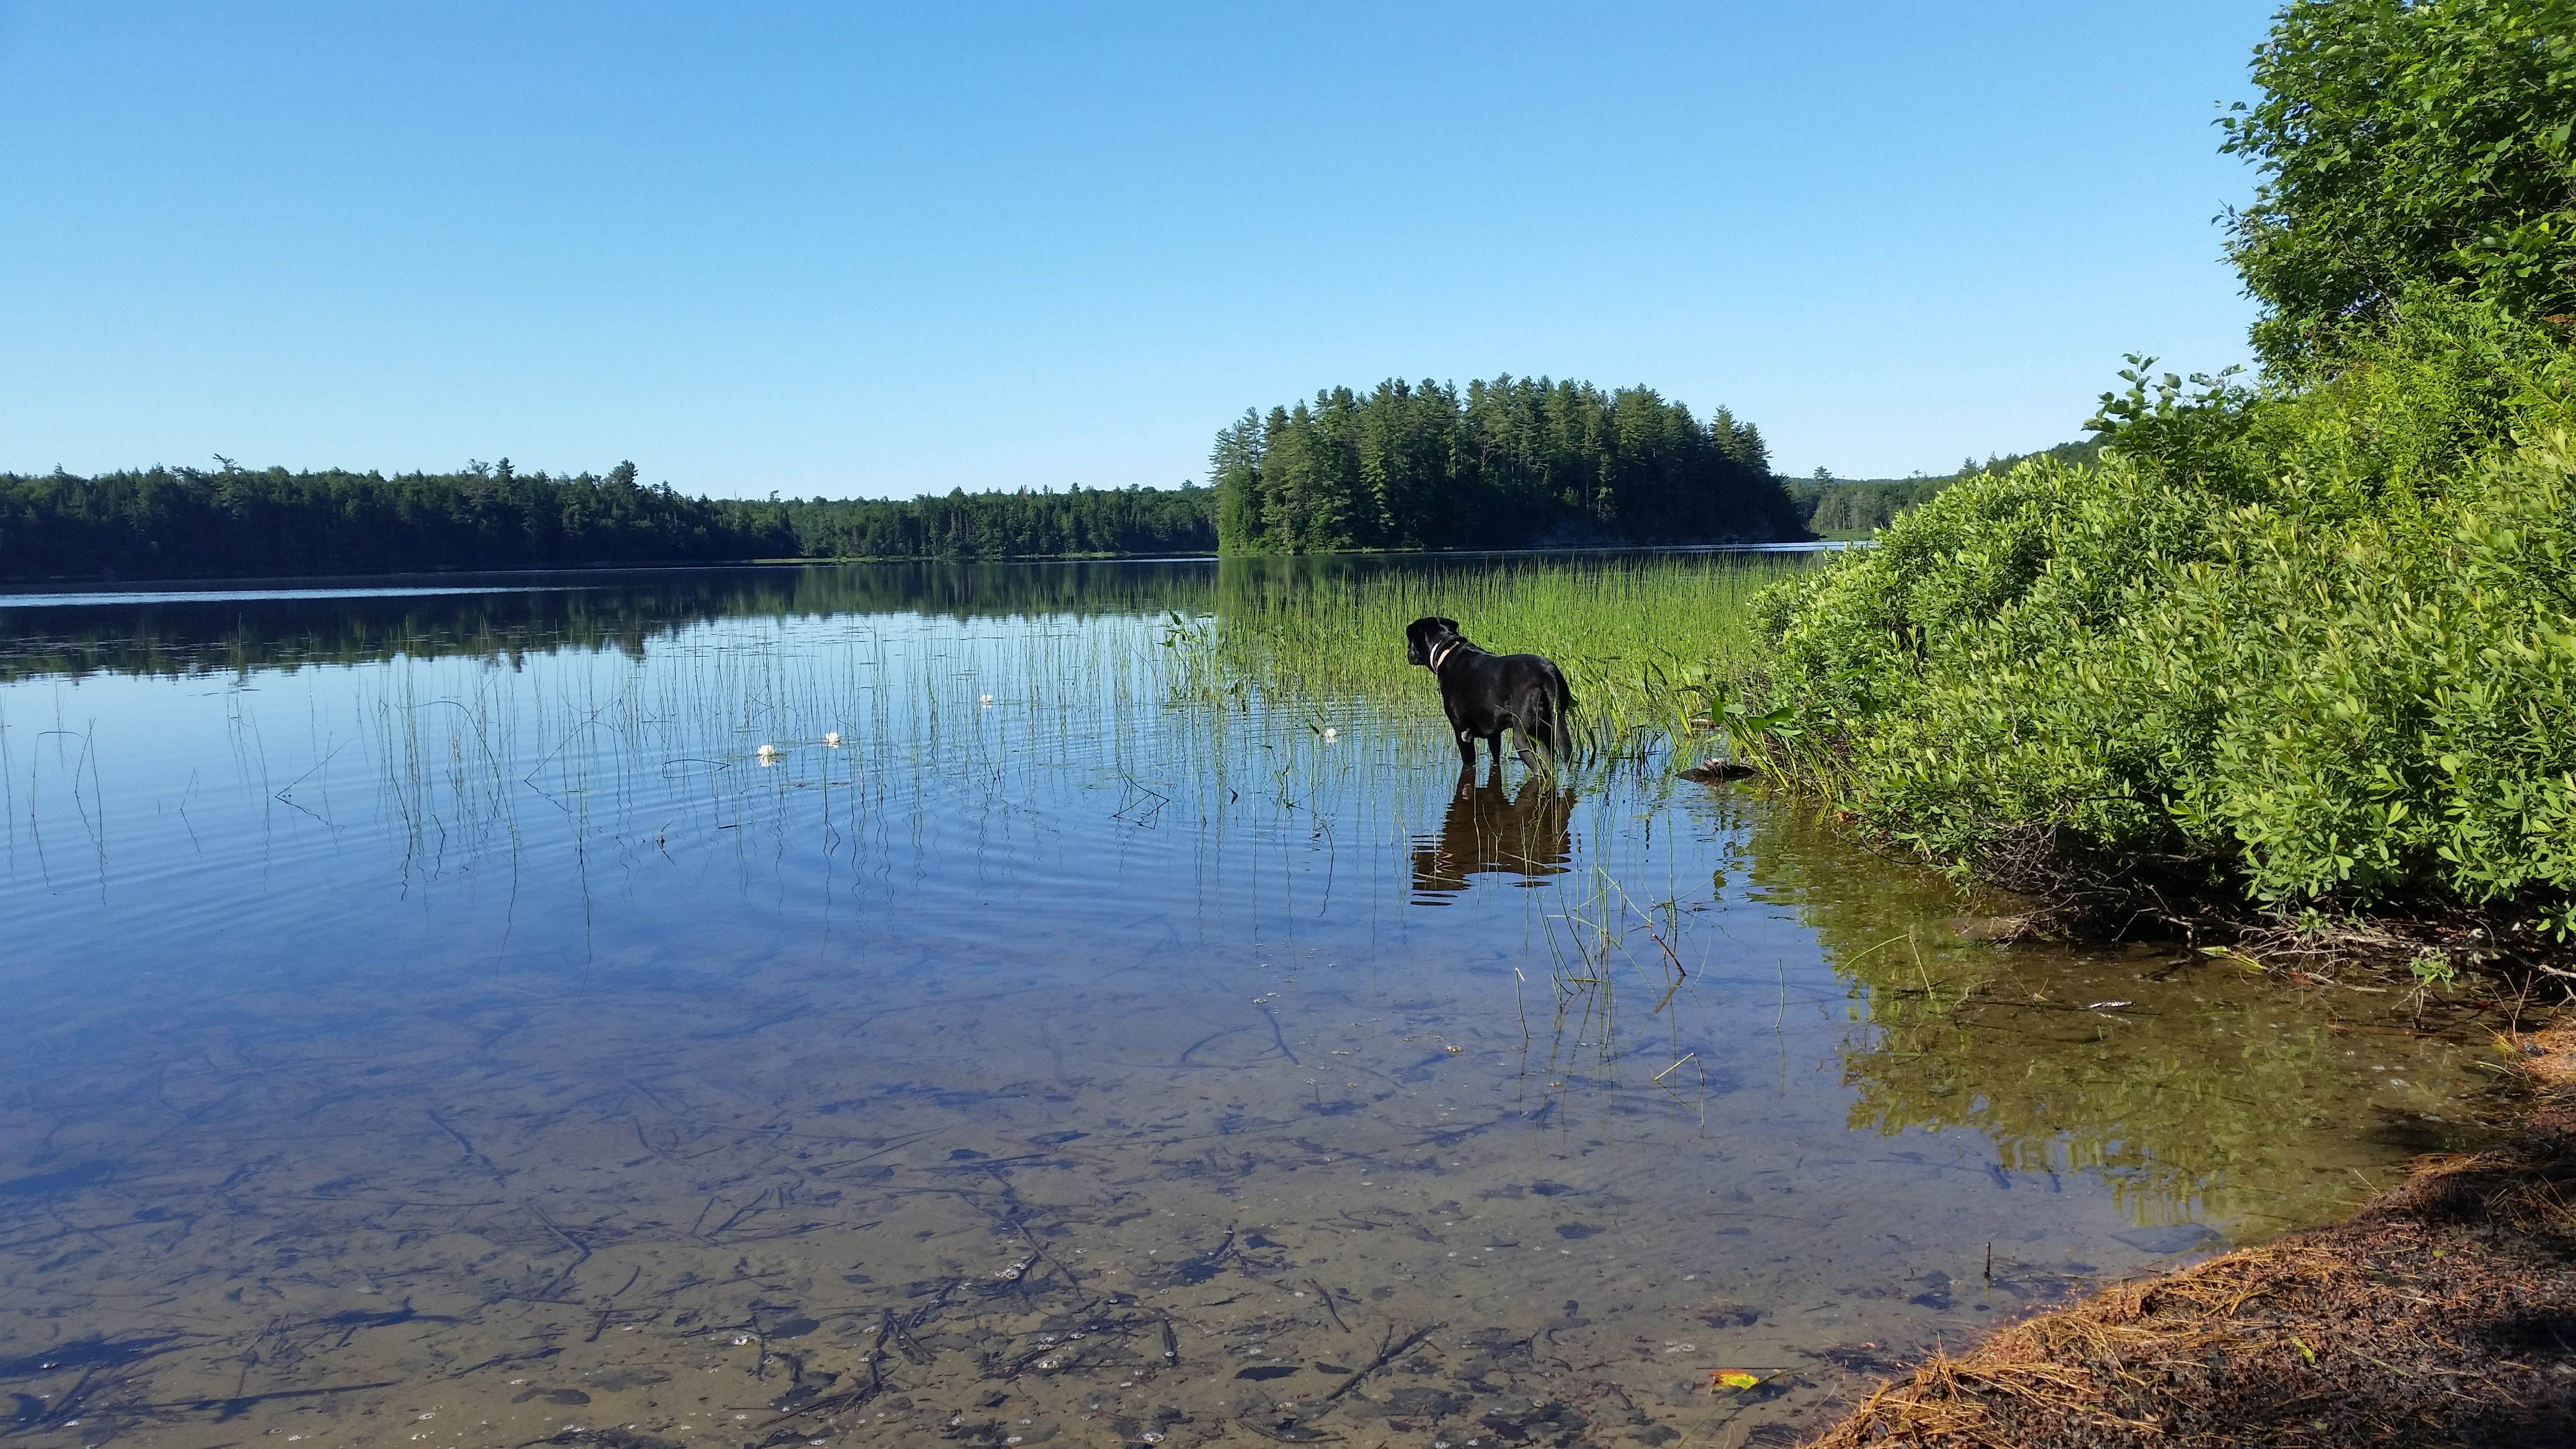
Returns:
<point x="2196" y="1089"/>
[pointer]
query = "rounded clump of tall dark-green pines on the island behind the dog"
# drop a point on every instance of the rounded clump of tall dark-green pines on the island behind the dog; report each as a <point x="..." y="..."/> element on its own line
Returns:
<point x="1508" y="463"/>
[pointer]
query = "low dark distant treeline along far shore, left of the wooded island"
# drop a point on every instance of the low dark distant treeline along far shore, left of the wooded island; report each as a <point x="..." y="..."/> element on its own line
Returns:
<point x="274" y="522"/>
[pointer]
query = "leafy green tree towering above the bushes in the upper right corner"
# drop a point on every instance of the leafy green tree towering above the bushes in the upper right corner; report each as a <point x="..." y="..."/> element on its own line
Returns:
<point x="2407" y="143"/>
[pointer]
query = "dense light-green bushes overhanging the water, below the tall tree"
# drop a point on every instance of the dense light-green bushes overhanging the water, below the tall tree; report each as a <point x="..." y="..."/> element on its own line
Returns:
<point x="2315" y="643"/>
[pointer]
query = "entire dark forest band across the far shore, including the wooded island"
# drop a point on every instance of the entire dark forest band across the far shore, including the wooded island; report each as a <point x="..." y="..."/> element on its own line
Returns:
<point x="1508" y="463"/>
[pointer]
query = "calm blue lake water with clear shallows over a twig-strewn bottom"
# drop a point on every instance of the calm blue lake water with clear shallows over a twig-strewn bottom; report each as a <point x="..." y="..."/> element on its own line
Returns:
<point x="434" y="1020"/>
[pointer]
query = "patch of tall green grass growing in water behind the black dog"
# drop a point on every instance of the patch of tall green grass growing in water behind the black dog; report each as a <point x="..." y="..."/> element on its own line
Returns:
<point x="1647" y="646"/>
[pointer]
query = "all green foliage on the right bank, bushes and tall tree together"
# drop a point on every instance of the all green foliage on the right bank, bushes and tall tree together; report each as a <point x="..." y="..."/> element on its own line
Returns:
<point x="2317" y="638"/>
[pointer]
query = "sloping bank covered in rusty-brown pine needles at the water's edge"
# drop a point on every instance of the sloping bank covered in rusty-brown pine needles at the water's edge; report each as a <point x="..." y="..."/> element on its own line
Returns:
<point x="2443" y="1314"/>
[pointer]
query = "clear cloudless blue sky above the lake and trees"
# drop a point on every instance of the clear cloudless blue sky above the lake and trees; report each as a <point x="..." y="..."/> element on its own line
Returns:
<point x="908" y="249"/>
